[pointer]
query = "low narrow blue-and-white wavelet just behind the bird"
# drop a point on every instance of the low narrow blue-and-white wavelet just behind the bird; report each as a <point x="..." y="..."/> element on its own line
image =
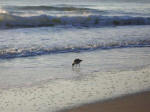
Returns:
<point x="35" y="51"/>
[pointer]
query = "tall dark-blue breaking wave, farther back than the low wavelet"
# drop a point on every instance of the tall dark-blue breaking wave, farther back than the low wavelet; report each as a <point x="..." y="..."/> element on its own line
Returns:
<point x="11" y="21"/>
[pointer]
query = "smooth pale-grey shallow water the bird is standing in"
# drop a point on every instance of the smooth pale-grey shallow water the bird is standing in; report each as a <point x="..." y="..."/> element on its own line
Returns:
<point x="34" y="70"/>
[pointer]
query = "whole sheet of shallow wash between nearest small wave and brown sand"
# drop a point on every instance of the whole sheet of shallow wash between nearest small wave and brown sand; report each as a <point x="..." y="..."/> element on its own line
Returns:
<point x="97" y="79"/>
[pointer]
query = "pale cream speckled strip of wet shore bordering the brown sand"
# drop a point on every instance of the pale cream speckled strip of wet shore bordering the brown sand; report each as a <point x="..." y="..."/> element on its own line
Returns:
<point x="60" y="93"/>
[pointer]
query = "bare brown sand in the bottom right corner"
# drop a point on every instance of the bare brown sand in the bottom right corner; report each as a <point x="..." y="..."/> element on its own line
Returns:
<point x="133" y="103"/>
